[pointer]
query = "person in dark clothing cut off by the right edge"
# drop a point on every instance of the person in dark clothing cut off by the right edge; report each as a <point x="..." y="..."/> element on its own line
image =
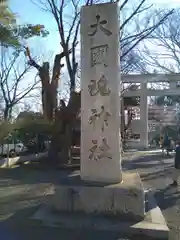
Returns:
<point x="176" y="171"/>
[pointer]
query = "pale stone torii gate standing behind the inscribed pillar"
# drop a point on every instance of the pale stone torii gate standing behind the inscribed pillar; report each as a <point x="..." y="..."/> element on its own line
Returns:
<point x="144" y="92"/>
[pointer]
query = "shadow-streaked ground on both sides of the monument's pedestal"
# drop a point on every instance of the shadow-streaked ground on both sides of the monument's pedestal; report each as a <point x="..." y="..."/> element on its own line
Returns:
<point x="23" y="188"/>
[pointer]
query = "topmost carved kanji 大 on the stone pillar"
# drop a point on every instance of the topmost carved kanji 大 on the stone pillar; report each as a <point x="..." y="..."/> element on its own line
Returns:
<point x="99" y="25"/>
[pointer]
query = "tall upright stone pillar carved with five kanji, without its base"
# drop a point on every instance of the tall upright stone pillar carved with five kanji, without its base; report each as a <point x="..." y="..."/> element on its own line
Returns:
<point x="100" y="94"/>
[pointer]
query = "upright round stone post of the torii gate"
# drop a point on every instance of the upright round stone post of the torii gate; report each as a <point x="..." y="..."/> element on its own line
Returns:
<point x="144" y="116"/>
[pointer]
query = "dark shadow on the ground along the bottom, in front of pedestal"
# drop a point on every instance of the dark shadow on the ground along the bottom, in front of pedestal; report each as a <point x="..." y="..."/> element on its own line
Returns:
<point x="19" y="227"/>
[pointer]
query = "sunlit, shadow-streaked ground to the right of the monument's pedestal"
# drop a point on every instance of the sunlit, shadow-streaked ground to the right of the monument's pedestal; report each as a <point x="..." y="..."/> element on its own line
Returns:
<point x="156" y="171"/>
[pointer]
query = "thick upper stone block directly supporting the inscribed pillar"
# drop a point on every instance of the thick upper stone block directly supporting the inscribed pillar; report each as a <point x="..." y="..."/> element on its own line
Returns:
<point x="126" y="199"/>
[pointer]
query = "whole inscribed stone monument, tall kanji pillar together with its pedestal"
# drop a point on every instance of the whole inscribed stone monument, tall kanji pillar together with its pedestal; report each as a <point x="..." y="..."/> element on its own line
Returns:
<point x="100" y="142"/>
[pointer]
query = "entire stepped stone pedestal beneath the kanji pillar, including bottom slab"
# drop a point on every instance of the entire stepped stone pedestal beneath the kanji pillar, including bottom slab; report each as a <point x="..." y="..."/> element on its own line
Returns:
<point x="109" y="209"/>
